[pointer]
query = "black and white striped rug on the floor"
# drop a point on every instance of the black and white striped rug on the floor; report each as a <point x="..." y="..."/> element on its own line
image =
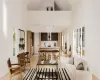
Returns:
<point x="47" y="74"/>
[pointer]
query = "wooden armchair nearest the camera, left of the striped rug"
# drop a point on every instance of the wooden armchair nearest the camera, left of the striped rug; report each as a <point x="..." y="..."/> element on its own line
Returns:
<point x="13" y="71"/>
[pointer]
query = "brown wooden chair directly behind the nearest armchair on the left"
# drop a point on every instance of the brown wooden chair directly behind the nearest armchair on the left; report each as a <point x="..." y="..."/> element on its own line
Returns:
<point x="21" y="60"/>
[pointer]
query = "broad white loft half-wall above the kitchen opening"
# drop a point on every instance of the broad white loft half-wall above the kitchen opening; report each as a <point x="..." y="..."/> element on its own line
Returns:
<point x="39" y="20"/>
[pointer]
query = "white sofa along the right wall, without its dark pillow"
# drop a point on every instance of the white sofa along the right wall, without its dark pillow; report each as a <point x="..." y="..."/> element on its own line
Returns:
<point x="73" y="73"/>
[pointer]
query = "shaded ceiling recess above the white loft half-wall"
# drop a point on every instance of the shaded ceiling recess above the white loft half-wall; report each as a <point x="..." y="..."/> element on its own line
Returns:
<point x="58" y="5"/>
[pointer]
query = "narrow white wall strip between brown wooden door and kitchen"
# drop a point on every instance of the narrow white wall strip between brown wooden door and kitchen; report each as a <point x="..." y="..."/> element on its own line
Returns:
<point x="36" y="43"/>
